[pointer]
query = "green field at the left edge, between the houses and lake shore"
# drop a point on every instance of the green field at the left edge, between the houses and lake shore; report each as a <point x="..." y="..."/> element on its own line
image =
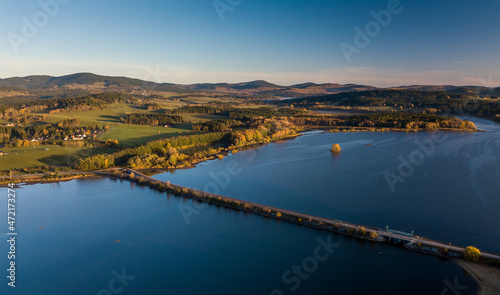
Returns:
<point x="26" y="157"/>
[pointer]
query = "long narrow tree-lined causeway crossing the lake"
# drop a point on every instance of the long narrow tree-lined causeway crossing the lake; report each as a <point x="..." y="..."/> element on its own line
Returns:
<point x="373" y="234"/>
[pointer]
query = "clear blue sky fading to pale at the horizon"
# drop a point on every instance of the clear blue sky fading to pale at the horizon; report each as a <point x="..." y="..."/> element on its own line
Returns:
<point x="286" y="42"/>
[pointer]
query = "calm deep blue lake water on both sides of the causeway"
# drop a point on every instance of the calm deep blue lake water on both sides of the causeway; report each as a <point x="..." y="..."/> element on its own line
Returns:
<point x="169" y="245"/>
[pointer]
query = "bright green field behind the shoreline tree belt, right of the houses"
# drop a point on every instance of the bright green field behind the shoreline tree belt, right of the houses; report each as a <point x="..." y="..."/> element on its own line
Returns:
<point x="130" y="135"/>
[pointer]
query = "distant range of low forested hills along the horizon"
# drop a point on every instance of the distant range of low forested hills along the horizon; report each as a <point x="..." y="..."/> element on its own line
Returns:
<point x="91" y="83"/>
